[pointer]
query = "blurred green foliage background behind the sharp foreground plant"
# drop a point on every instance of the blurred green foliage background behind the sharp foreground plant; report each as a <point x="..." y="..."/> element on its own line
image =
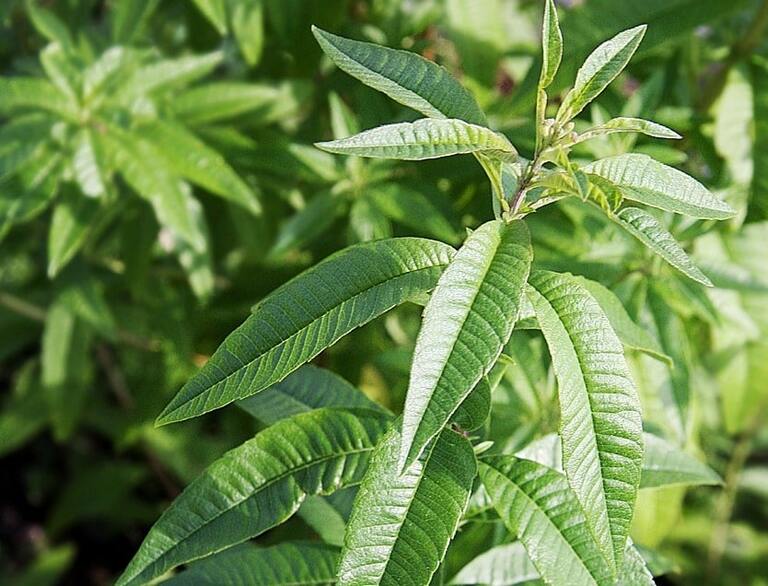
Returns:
<point x="157" y="178"/>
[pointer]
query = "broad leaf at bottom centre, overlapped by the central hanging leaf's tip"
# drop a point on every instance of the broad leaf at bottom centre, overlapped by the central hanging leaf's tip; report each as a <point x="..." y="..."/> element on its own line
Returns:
<point x="401" y="524"/>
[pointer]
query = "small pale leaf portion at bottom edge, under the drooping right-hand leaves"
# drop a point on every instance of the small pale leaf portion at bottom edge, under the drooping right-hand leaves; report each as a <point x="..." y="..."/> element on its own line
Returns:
<point x="503" y="565"/>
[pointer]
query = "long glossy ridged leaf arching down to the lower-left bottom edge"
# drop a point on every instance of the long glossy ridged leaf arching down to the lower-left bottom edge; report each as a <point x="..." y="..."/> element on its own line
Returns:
<point x="257" y="486"/>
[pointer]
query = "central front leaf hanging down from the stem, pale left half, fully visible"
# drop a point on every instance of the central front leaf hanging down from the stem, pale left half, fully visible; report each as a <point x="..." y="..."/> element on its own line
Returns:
<point x="466" y="324"/>
